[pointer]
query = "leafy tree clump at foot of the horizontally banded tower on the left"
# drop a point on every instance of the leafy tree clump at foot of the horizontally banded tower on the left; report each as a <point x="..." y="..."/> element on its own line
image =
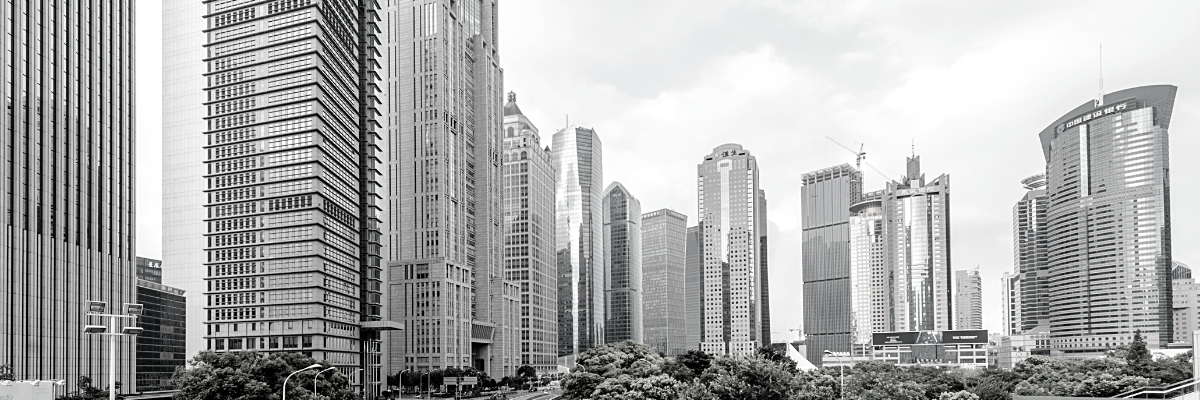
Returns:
<point x="257" y="377"/>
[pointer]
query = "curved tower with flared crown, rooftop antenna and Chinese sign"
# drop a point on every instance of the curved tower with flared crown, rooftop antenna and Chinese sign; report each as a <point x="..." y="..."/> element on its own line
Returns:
<point x="1109" y="223"/>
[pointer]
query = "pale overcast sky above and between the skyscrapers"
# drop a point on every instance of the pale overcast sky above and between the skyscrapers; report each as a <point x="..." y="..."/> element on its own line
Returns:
<point x="664" y="82"/>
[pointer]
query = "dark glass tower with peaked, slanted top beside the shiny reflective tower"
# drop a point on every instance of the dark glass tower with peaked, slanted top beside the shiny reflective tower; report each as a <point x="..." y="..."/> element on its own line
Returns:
<point x="623" y="265"/>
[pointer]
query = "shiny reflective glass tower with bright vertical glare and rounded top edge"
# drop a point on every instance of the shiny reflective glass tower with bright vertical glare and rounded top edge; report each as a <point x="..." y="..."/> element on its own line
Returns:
<point x="579" y="218"/>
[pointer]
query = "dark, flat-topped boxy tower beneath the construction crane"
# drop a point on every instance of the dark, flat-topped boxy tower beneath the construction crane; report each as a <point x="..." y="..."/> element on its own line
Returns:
<point x="826" y="198"/>
